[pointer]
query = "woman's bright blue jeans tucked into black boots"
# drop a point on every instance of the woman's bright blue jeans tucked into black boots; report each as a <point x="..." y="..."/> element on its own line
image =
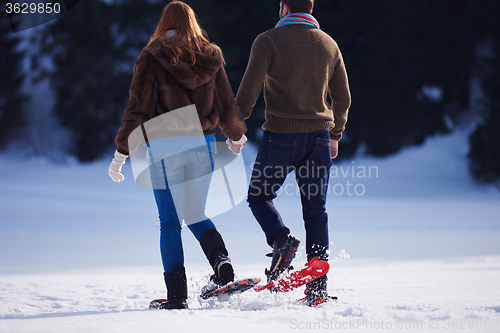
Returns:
<point x="180" y="183"/>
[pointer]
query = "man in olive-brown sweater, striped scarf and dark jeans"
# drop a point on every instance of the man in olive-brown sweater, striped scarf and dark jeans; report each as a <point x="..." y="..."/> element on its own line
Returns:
<point x="299" y="65"/>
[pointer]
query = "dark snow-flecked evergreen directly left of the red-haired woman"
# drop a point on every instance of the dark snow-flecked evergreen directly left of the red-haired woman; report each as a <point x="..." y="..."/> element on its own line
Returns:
<point x="89" y="77"/>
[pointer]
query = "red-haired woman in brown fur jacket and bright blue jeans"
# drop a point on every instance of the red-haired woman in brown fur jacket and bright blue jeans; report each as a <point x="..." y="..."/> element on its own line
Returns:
<point x="180" y="68"/>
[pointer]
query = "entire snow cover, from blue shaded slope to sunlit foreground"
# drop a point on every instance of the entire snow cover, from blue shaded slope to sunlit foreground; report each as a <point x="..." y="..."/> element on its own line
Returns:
<point x="414" y="248"/>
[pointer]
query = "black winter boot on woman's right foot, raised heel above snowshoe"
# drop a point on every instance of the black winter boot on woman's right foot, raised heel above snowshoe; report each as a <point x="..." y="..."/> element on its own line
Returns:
<point x="215" y="250"/>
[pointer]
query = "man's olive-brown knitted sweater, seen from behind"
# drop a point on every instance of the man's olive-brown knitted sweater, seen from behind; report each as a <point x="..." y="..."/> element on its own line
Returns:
<point x="299" y="65"/>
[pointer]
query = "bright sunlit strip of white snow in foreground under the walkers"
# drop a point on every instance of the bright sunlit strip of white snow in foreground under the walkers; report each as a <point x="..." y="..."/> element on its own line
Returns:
<point x="416" y="296"/>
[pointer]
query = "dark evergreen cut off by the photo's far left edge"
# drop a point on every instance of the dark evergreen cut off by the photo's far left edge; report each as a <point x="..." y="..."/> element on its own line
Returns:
<point x="12" y="100"/>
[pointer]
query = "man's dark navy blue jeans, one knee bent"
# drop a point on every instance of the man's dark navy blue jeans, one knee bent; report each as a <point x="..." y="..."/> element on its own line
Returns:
<point x="308" y="155"/>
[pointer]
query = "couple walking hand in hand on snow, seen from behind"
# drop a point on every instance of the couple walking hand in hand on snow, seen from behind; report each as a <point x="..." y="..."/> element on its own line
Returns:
<point x="299" y="66"/>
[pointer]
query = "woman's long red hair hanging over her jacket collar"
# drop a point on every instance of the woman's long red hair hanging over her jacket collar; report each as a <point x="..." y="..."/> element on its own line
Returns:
<point x="189" y="37"/>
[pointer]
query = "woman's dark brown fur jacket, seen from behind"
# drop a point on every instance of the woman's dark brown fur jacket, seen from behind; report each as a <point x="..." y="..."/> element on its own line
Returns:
<point x="159" y="87"/>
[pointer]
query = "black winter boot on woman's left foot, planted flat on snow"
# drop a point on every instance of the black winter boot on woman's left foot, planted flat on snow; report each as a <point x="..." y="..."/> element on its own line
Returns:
<point x="176" y="289"/>
